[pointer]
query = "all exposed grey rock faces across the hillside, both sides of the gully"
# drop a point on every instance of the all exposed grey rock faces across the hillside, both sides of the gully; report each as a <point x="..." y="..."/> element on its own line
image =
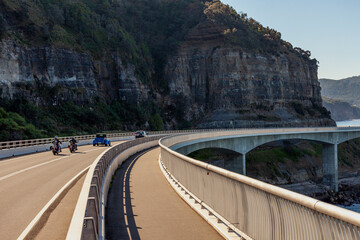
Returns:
<point x="222" y="86"/>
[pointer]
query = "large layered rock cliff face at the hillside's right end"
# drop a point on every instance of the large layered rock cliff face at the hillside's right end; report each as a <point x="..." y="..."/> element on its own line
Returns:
<point x="226" y="86"/>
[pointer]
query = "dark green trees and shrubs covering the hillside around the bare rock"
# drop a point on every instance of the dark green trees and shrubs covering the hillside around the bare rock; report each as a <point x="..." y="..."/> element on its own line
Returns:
<point x="144" y="33"/>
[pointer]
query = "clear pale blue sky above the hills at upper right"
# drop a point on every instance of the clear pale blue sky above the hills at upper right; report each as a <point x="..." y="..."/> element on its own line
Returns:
<point x="330" y="29"/>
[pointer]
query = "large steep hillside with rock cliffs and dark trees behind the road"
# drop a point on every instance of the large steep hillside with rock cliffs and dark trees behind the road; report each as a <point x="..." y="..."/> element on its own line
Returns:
<point x="129" y="64"/>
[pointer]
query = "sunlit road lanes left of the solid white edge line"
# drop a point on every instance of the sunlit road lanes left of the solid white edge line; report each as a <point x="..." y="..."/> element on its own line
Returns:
<point x="28" y="182"/>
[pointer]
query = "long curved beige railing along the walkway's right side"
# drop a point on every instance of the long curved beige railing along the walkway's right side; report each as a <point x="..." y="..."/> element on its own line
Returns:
<point x="260" y="210"/>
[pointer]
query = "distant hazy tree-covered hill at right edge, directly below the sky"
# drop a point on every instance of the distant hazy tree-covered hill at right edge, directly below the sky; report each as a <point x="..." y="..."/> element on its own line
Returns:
<point x="347" y="89"/>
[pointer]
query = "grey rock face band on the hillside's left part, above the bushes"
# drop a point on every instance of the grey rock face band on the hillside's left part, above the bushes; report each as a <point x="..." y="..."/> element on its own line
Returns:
<point x="46" y="74"/>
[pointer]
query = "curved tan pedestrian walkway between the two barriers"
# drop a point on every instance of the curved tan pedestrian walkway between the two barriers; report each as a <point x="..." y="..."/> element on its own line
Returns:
<point x="152" y="208"/>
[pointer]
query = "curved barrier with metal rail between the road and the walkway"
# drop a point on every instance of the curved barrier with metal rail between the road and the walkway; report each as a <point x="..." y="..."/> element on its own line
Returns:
<point x="89" y="215"/>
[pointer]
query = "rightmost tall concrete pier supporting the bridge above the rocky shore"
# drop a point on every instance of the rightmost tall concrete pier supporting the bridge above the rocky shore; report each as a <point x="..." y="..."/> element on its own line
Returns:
<point x="330" y="166"/>
